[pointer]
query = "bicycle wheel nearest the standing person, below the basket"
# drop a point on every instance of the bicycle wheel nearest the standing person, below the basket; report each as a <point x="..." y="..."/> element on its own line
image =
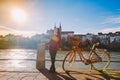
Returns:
<point x="69" y="61"/>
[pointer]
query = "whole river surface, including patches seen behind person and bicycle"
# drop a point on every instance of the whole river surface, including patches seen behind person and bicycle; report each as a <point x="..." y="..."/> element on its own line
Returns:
<point x="27" y="58"/>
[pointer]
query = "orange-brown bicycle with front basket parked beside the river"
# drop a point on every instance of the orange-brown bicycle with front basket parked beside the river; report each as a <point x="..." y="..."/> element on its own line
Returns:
<point x="99" y="59"/>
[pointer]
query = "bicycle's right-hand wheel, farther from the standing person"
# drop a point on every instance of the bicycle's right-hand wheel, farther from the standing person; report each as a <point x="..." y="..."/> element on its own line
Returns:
<point x="102" y="60"/>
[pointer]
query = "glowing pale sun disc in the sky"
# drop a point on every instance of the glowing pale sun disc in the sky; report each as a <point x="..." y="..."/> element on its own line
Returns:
<point x="18" y="15"/>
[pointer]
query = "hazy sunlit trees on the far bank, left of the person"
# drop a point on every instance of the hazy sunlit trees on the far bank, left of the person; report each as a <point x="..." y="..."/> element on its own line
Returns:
<point x="12" y="41"/>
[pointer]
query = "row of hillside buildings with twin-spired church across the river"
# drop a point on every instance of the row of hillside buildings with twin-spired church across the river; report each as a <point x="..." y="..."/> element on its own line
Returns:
<point x="105" y="38"/>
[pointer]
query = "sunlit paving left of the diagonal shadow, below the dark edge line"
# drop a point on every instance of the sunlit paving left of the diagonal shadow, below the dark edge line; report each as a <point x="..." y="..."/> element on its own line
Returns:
<point x="21" y="76"/>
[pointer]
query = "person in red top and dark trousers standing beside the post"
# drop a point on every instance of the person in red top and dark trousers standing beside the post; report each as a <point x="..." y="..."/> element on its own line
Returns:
<point x="53" y="46"/>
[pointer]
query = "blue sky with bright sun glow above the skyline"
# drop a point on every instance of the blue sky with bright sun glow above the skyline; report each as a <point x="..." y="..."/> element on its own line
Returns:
<point x="38" y="16"/>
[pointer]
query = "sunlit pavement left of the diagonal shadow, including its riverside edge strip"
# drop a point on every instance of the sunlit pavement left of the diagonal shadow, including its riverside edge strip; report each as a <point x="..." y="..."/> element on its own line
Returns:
<point x="21" y="74"/>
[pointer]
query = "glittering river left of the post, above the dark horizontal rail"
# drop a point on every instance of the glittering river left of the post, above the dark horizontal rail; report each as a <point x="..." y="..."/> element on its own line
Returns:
<point x="18" y="54"/>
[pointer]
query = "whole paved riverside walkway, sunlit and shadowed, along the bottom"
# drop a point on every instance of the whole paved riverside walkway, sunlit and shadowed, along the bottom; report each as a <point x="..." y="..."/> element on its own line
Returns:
<point x="44" y="74"/>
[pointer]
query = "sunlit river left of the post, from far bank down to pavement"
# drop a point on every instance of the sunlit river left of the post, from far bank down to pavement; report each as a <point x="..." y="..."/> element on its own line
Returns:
<point x="17" y="58"/>
